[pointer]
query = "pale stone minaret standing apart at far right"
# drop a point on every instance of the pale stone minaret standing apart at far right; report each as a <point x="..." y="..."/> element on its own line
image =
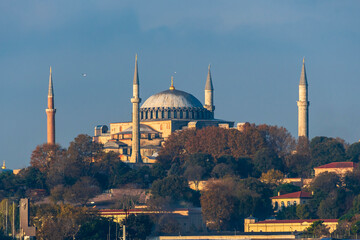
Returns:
<point x="303" y="105"/>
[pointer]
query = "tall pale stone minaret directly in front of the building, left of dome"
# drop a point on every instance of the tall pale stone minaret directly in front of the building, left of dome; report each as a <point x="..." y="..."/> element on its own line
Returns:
<point x="135" y="154"/>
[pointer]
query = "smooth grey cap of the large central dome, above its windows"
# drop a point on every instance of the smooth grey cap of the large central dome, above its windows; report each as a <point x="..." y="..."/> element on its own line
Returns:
<point x="172" y="99"/>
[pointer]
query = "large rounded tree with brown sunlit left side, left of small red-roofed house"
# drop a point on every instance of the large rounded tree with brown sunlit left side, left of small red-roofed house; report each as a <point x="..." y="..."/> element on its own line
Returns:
<point x="226" y="202"/>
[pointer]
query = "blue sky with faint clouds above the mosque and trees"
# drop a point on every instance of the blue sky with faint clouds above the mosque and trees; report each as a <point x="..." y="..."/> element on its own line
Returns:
<point x="255" y="49"/>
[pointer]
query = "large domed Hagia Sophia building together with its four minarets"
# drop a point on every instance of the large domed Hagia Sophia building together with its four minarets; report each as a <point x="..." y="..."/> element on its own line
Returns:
<point x="139" y="140"/>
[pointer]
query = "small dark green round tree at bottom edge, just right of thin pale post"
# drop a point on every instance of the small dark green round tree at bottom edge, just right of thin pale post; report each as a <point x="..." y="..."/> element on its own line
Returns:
<point x="139" y="226"/>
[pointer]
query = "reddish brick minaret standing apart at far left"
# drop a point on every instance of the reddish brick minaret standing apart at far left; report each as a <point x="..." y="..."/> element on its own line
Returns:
<point x="50" y="112"/>
